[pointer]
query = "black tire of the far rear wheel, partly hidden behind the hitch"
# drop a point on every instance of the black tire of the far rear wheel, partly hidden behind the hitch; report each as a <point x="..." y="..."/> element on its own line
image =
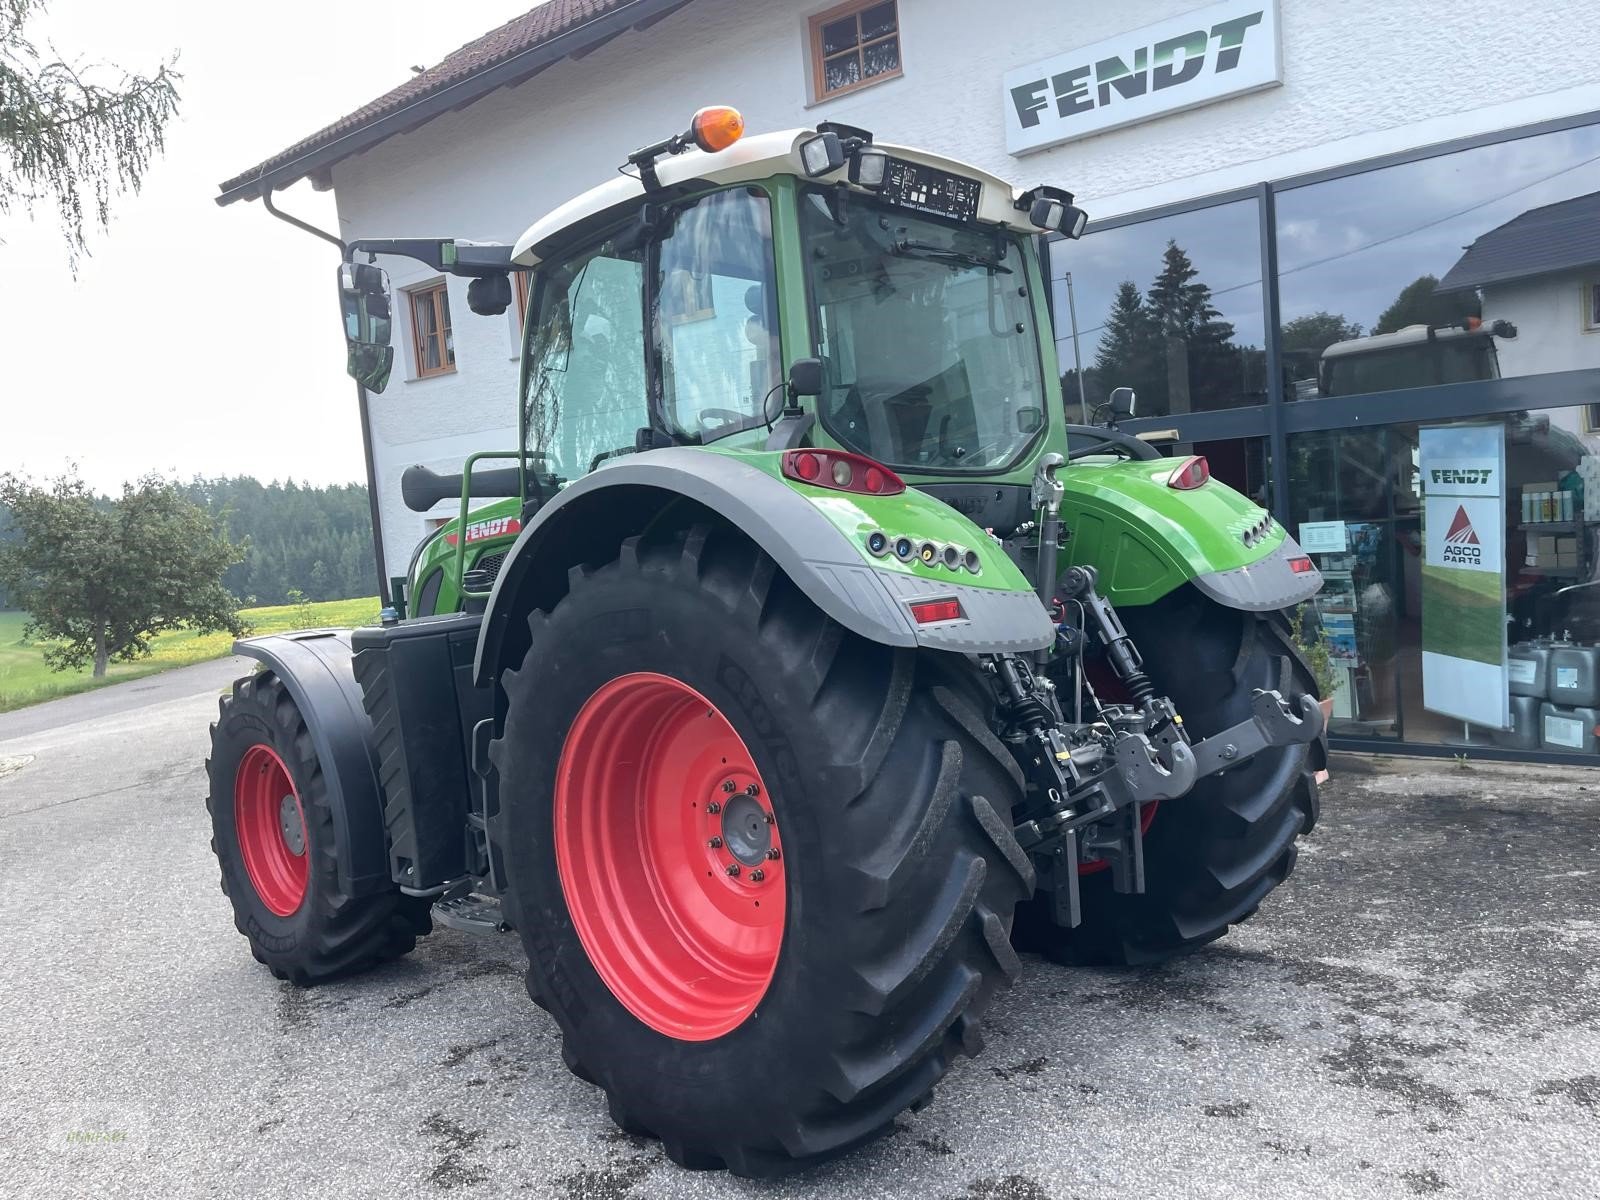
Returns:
<point x="1214" y="855"/>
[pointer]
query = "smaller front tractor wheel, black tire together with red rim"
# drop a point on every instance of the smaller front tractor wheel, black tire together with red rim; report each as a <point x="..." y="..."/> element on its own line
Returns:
<point x="273" y="833"/>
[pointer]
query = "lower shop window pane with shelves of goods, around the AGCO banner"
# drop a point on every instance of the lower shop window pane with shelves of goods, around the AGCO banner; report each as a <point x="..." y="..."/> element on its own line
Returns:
<point x="1359" y="506"/>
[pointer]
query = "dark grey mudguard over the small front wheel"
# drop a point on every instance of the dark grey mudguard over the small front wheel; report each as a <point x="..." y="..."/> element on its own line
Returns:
<point x="316" y="668"/>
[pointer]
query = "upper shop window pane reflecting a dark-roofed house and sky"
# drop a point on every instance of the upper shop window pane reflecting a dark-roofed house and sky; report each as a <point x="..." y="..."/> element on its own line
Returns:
<point x="1452" y="270"/>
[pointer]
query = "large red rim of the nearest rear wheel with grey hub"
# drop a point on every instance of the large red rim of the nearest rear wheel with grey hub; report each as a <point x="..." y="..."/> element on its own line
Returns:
<point x="670" y="857"/>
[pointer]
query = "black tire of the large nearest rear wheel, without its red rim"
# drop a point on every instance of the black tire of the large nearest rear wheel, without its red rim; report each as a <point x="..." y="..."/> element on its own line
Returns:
<point x="894" y="802"/>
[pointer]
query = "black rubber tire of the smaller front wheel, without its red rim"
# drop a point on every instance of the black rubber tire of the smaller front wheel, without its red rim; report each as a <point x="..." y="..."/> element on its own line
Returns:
<point x="330" y="934"/>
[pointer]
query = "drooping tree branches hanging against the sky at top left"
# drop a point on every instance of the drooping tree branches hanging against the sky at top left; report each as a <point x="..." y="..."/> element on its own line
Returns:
<point x="68" y="137"/>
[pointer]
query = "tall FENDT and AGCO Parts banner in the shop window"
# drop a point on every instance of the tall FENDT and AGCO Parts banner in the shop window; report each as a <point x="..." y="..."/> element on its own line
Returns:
<point x="1465" y="574"/>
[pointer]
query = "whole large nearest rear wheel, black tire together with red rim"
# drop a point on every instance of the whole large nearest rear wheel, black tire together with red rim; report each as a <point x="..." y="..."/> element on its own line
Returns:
<point x="764" y="870"/>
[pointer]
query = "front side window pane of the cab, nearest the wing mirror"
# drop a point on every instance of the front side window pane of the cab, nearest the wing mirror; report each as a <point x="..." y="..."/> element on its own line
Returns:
<point x="585" y="396"/>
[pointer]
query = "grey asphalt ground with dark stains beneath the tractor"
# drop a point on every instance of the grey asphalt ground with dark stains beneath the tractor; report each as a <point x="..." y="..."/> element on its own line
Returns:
<point x="1415" y="1014"/>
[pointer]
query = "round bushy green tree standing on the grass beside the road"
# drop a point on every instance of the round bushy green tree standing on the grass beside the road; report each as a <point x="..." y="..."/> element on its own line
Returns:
<point x="100" y="578"/>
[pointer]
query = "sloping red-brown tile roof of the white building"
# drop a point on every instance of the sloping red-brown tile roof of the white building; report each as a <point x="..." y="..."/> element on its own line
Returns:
<point x="534" y="30"/>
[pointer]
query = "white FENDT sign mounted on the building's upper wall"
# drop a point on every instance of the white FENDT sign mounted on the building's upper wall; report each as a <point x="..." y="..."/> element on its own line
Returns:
<point x="1191" y="60"/>
